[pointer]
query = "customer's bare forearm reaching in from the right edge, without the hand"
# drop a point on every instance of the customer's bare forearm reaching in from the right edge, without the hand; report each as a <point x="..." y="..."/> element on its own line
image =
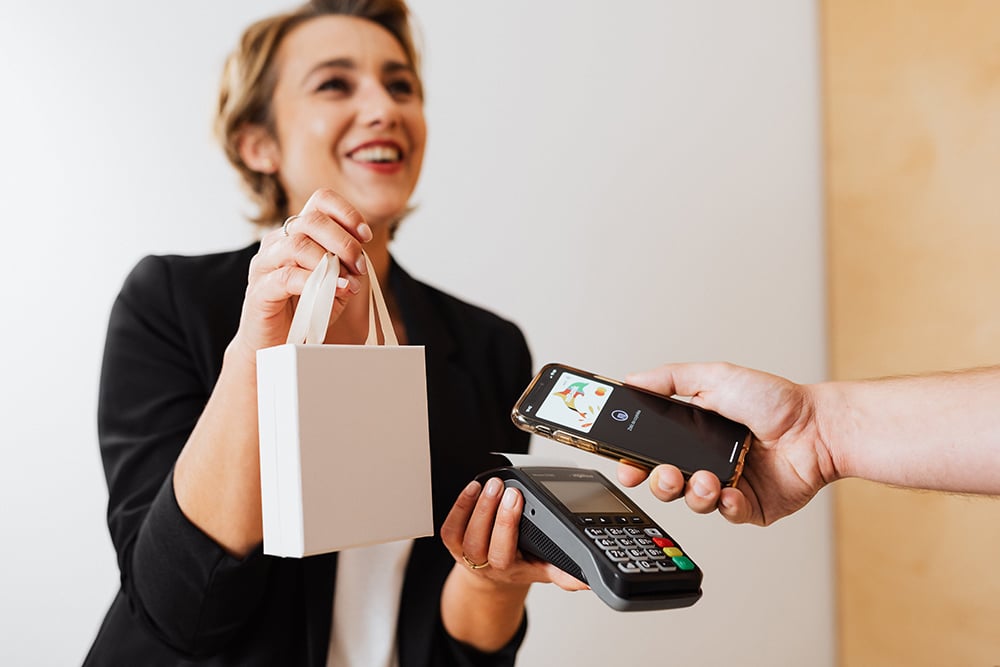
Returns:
<point x="935" y="432"/>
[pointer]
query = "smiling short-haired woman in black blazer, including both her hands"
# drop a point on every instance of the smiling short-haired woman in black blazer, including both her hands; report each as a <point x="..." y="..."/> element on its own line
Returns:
<point x="321" y="111"/>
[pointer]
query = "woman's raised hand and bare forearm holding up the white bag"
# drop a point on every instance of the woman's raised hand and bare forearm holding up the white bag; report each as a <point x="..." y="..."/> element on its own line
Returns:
<point x="217" y="475"/>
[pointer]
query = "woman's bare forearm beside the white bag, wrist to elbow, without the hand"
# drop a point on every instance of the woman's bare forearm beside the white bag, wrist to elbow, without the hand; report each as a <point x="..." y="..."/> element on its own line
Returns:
<point x="217" y="475"/>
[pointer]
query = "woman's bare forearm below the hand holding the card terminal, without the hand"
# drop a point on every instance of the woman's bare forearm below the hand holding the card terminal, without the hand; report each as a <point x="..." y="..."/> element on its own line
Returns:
<point x="480" y="613"/>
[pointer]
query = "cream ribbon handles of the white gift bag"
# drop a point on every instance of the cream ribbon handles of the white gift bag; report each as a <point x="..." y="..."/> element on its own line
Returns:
<point x="312" y="313"/>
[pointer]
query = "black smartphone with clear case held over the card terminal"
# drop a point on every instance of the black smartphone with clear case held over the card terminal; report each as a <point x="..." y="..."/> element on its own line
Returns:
<point x="625" y="423"/>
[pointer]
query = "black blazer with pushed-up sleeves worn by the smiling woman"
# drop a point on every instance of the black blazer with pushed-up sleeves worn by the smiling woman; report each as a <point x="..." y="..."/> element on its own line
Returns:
<point x="183" y="600"/>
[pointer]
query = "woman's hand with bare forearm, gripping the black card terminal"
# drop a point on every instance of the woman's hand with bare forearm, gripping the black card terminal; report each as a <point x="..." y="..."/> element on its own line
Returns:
<point x="483" y="599"/>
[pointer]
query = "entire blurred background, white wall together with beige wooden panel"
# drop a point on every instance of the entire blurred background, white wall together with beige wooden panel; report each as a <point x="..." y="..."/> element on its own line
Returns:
<point x="805" y="187"/>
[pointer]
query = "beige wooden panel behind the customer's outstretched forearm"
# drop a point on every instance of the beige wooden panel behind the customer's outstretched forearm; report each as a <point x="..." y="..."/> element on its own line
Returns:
<point x="912" y="107"/>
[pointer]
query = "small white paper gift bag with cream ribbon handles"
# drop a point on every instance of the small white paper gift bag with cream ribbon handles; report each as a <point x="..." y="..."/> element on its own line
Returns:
<point x="344" y="446"/>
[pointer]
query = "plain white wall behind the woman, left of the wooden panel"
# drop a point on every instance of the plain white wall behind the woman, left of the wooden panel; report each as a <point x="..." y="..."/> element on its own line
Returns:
<point x="630" y="182"/>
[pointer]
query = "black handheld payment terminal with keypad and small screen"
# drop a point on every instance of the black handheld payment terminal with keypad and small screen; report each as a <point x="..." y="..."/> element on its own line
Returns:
<point x="583" y="524"/>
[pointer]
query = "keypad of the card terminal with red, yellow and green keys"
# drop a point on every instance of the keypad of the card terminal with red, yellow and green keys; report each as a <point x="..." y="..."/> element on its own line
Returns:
<point x="637" y="548"/>
